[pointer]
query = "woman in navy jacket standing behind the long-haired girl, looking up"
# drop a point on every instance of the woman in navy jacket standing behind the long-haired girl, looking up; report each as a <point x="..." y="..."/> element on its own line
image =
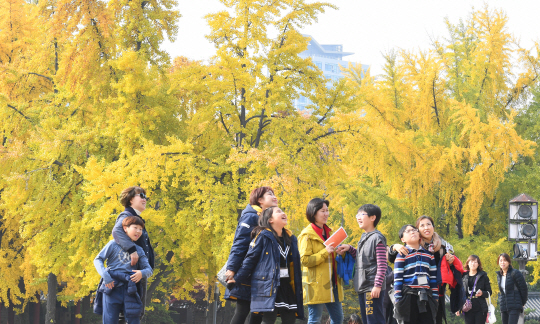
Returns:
<point x="259" y="199"/>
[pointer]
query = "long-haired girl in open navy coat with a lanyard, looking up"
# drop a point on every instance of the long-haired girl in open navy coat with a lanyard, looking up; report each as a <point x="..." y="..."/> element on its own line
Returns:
<point x="272" y="267"/>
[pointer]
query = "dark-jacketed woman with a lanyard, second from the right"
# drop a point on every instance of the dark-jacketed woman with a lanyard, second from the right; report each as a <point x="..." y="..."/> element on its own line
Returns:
<point x="478" y="313"/>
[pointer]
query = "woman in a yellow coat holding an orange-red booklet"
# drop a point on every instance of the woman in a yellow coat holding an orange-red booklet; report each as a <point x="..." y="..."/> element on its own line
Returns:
<point x="322" y="285"/>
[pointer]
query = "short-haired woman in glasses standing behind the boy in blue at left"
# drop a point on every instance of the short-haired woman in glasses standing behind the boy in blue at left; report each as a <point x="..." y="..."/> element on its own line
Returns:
<point x="134" y="201"/>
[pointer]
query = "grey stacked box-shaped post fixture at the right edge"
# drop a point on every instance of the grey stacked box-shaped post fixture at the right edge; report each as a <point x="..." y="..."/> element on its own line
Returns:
<point x="523" y="228"/>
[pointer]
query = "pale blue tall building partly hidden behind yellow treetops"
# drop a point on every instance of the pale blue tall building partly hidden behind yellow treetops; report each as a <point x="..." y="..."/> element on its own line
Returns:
<point x="328" y="58"/>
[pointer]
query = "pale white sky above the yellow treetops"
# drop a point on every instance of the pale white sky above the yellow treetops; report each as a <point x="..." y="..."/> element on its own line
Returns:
<point x="367" y="28"/>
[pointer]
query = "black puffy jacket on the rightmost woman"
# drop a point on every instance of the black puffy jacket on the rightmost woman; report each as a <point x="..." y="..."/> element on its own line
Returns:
<point x="516" y="291"/>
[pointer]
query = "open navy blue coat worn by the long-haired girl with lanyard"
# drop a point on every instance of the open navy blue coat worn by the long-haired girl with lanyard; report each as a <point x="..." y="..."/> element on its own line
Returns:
<point x="261" y="269"/>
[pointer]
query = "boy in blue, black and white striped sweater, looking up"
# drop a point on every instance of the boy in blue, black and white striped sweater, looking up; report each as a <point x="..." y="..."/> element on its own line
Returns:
<point x="415" y="281"/>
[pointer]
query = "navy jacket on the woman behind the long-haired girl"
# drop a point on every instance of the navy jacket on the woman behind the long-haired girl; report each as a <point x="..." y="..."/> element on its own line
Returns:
<point x="249" y="219"/>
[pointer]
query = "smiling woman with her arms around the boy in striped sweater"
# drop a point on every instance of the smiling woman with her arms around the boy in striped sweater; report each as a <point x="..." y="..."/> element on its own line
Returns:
<point x="434" y="244"/>
